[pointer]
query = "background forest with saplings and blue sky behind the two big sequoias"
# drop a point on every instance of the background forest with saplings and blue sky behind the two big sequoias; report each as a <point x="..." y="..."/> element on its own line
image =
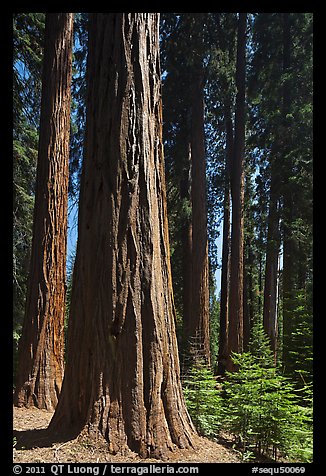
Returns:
<point x="237" y="132"/>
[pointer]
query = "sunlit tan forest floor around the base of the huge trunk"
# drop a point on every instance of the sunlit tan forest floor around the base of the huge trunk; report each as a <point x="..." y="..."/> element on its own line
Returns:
<point x="31" y="445"/>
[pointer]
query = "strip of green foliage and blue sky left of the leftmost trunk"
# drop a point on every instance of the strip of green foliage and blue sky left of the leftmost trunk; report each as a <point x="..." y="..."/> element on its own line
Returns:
<point x="28" y="29"/>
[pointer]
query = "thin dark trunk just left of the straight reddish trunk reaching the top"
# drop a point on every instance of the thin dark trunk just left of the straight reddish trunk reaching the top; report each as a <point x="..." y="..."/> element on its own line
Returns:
<point x="224" y="304"/>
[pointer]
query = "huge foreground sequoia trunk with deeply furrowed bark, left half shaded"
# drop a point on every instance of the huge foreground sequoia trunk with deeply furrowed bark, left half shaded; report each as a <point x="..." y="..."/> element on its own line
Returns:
<point x="122" y="375"/>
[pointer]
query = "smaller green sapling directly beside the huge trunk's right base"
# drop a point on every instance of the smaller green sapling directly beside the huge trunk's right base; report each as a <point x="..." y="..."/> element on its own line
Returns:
<point x="204" y="401"/>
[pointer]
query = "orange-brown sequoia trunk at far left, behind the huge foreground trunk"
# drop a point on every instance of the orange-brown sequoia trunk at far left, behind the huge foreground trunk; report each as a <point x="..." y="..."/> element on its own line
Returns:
<point x="40" y="367"/>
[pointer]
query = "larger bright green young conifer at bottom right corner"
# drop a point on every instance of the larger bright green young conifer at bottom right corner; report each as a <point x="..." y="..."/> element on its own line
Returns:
<point x="263" y="408"/>
